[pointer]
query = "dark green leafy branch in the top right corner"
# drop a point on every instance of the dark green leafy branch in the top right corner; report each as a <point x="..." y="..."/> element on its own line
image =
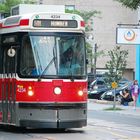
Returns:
<point x="133" y="4"/>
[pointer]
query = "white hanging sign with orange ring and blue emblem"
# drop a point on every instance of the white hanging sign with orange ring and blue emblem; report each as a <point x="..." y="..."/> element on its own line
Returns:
<point x="128" y="35"/>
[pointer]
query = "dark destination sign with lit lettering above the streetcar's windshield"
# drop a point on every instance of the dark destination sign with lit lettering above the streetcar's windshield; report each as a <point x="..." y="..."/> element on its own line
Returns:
<point x="47" y="23"/>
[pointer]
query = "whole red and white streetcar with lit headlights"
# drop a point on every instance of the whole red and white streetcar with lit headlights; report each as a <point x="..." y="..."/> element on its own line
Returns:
<point x="43" y="78"/>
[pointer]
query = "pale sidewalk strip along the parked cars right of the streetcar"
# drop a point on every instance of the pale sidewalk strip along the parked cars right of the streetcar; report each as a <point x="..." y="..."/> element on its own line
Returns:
<point x="101" y="105"/>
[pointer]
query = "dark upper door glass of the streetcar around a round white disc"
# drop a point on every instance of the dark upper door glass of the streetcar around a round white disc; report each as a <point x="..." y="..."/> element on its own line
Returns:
<point x="8" y="52"/>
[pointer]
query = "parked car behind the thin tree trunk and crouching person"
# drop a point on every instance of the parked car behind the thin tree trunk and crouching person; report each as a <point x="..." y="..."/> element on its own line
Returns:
<point x="109" y="95"/>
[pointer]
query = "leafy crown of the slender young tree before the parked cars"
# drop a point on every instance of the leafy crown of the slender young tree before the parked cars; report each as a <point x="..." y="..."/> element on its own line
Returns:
<point x="116" y="65"/>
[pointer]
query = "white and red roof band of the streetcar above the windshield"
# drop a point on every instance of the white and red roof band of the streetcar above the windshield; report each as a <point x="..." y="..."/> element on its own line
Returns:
<point x="26" y="22"/>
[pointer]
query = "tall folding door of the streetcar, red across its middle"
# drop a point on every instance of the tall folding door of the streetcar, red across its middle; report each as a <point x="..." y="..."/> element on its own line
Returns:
<point x="9" y="84"/>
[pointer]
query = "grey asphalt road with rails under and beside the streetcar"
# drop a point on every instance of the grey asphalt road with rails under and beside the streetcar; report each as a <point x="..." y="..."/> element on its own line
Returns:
<point x="102" y="125"/>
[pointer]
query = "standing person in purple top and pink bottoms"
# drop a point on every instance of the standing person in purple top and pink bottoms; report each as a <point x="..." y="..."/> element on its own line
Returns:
<point x="135" y="89"/>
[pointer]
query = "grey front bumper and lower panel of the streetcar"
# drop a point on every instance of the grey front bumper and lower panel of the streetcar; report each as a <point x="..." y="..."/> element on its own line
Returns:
<point x="54" y="115"/>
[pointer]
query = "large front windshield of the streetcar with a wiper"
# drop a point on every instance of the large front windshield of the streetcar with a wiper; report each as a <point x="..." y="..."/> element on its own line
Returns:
<point x="53" y="55"/>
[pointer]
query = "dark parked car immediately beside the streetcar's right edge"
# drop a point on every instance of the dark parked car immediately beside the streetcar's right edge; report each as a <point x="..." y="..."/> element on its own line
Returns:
<point x="97" y="88"/>
